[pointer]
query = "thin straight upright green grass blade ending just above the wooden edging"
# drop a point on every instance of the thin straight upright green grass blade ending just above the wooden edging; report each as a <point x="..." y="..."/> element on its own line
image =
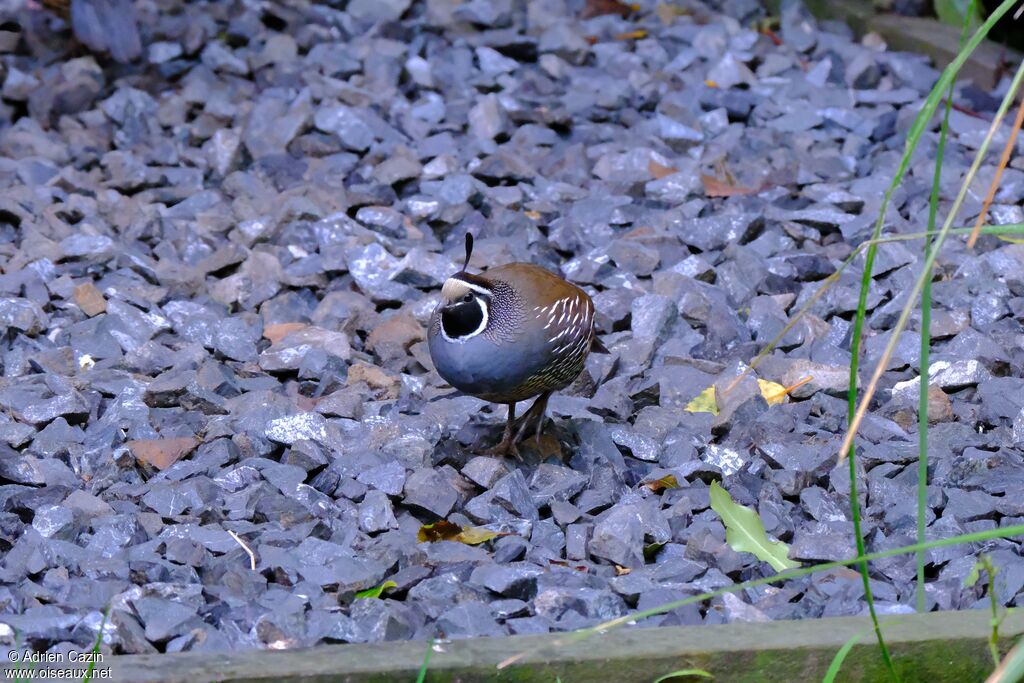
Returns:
<point x="926" y="324"/>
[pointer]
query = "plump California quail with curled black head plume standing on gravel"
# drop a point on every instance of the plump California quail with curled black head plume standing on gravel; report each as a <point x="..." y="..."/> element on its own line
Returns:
<point x="515" y="332"/>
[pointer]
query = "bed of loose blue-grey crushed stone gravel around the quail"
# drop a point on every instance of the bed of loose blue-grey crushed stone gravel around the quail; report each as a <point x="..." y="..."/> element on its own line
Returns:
<point x="218" y="265"/>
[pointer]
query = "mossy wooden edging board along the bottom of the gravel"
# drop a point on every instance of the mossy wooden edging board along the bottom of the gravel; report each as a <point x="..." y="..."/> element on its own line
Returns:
<point x="950" y="647"/>
